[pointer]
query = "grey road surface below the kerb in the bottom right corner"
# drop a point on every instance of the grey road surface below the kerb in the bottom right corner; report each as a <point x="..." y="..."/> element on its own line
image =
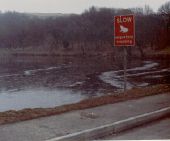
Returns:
<point x="156" y="130"/>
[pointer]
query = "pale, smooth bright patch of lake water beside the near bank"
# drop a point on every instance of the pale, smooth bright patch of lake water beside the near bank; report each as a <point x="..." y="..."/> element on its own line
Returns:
<point x="33" y="98"/>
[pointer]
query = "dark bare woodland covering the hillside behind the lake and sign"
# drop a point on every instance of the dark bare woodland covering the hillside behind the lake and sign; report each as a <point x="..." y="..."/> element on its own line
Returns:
<point x="94" y="27"/>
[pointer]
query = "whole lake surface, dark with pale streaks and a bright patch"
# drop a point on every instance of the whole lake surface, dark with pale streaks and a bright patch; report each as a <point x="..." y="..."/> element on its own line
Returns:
<point x="30" y="82"/>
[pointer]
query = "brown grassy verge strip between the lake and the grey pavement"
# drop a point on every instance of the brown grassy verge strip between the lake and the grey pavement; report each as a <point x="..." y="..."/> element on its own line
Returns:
<point x="27" y="114"/>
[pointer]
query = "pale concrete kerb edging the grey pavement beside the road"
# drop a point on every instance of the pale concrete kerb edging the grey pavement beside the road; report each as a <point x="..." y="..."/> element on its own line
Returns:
<point x="116" y="127"/>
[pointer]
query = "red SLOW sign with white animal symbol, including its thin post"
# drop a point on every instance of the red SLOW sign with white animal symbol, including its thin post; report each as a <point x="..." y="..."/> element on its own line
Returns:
<point x="124" y="35"/>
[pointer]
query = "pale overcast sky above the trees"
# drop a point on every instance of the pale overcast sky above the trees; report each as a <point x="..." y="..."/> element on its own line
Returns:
<point x="72" y="6"/>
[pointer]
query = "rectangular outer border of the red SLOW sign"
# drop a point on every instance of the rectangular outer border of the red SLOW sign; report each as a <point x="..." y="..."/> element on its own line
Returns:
<point x="133" y="29"/>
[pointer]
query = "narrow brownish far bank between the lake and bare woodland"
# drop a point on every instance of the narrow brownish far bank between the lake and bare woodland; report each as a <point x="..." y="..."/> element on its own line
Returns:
<point x="148" y="54"/>
